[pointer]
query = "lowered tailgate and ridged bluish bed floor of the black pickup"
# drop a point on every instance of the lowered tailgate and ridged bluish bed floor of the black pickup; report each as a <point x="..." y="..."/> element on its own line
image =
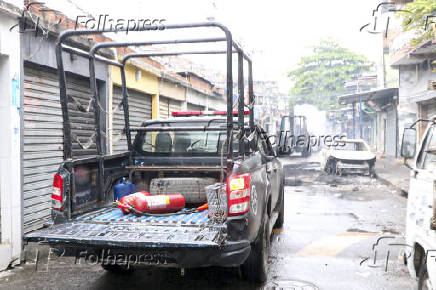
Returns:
<point x="109" y="228"/>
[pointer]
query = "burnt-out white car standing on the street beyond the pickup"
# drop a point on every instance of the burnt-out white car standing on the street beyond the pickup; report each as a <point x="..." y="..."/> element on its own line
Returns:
<point x="348" y="156"/>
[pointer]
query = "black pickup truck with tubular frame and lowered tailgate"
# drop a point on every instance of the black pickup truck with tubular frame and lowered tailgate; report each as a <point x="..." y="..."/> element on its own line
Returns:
<point x="233" y="153"/>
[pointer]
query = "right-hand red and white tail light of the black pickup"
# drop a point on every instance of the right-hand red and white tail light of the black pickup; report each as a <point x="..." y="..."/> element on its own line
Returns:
<point x="238" y="194"/>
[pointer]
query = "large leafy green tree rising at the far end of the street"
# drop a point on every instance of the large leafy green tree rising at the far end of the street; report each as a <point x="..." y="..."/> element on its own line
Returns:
<point x="320" y="77"/>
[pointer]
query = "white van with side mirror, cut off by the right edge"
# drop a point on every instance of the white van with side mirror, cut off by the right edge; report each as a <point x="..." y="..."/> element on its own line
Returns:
<point x="421" y="205"/>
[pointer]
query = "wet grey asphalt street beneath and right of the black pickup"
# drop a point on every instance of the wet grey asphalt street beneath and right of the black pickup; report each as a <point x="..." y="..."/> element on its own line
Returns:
<point x="331" y="225"/>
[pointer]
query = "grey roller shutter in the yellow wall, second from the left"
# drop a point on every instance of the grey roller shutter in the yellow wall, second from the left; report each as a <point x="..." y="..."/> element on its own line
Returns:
<point x="139" y="111"/>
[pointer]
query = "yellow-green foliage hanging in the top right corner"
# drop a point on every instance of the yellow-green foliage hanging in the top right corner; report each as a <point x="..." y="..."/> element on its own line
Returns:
<point x="414" y="19"/>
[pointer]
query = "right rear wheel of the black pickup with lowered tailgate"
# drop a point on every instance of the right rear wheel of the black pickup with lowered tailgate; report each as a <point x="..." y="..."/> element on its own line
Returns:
<point x="255" y="268"/>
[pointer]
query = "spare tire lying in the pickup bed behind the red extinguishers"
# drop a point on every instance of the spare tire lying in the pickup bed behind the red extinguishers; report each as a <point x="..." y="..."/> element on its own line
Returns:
<point x="192" y="188"/>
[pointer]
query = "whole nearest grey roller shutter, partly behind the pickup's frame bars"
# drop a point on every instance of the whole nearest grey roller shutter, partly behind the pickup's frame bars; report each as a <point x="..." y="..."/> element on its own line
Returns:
<point x="43" y="137"/>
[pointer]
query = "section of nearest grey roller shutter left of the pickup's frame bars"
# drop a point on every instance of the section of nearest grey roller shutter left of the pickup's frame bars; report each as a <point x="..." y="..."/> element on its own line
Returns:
<point x="43" y="144"/>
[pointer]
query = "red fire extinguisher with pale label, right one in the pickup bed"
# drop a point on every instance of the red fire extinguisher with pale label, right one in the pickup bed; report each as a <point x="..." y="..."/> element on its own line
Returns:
<point x="158" y="203"/>
